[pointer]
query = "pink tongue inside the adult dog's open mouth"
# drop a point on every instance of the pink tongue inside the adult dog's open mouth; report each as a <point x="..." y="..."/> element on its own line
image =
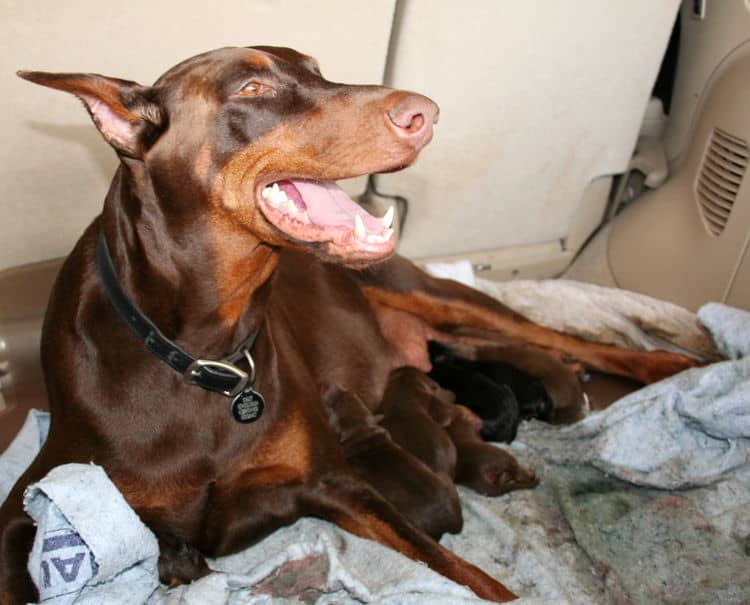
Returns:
<point x="327" y="204"/>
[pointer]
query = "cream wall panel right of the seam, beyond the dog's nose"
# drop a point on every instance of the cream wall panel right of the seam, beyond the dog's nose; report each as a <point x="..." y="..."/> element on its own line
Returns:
<point x="538" y="98"/>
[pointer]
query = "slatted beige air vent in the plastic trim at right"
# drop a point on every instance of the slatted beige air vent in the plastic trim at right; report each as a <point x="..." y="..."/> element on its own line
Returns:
<point x="720" y="177"/>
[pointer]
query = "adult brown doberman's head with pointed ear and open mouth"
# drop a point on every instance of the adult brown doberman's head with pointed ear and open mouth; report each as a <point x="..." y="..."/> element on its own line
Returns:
<point x="257" y="136"/>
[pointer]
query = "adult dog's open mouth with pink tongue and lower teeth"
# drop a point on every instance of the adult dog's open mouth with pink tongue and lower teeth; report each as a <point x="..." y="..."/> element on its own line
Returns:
<point x="320" y="211"/>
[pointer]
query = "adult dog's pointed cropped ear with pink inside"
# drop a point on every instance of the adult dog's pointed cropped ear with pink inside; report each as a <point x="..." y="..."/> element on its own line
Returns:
<point x="126" y="113"/>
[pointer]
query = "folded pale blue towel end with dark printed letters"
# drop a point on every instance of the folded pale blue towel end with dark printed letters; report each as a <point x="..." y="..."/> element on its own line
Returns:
<point x="90" y="546"/>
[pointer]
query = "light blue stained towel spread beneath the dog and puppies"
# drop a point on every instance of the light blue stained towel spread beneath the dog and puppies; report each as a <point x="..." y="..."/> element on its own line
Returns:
<point x="647" y="501"/>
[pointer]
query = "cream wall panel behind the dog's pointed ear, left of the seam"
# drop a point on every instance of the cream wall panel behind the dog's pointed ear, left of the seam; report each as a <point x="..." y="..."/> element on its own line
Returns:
<point x="54" y="167"/>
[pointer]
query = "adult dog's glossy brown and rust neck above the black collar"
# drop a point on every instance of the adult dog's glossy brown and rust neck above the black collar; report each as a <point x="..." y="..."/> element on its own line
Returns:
<point x="197" y="276"/>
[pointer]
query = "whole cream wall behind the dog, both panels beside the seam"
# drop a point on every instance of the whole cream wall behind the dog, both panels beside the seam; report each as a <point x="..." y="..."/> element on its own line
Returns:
<point x="539" y="98"/>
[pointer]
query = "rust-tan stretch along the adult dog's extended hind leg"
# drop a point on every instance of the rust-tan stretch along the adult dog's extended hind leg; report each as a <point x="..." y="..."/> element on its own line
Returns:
<point x="455" y="312"/>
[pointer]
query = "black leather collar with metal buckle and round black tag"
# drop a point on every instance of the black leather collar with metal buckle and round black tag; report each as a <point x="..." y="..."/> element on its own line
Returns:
<point x="221" y="376"/>
